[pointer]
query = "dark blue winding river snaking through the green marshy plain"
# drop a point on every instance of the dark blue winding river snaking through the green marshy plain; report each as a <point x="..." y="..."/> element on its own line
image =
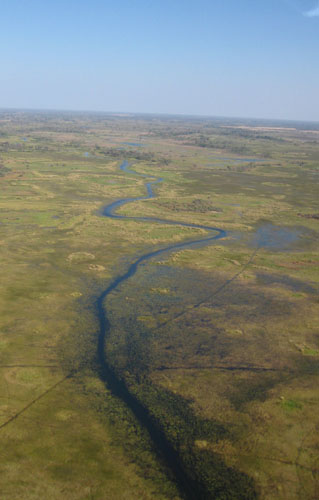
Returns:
<point x="188" y="488"/>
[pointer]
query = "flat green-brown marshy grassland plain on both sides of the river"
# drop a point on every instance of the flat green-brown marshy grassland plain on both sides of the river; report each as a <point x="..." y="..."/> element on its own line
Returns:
<point x="218" y="342"/>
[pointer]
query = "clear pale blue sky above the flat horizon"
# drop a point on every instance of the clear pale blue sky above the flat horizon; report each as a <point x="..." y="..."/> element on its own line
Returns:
<point x="234" y="58"/>
